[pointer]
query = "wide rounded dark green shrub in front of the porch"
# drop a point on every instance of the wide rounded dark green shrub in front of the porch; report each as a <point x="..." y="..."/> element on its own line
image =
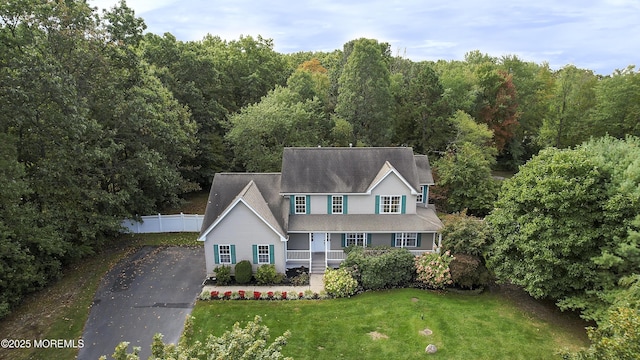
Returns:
<point x="381" y="268"/>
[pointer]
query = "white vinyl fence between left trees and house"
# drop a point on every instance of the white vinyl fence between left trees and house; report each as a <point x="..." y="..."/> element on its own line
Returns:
<point x="165" y="223"/>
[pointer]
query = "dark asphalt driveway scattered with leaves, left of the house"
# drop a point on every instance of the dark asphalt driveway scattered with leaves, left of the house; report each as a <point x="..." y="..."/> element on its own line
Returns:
<point x="150" y="292"/>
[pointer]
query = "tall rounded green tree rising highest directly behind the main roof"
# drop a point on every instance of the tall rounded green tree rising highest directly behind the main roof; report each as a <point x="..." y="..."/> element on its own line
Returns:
<point x="364" y="95"/>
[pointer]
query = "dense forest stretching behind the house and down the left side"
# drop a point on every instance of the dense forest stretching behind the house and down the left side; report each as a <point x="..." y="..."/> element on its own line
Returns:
<point x="102" y="122"/>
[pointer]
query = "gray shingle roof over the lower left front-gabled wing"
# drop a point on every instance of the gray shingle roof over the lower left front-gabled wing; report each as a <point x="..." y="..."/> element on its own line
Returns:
<point x="263" y="196"/>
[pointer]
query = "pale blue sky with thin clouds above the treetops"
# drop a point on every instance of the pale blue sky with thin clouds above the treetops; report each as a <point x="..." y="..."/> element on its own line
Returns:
<point x="597" y="35"/>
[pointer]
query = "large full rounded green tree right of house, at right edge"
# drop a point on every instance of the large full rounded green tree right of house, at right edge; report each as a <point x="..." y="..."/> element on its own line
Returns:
<point x="564" y="225"/>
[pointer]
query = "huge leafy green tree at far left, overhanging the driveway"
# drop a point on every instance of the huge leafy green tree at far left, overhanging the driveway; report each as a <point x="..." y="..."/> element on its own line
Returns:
<point x="92" y="136"/>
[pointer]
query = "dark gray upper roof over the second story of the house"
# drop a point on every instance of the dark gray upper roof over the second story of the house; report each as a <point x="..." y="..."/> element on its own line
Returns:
<point x="342" y="170"/>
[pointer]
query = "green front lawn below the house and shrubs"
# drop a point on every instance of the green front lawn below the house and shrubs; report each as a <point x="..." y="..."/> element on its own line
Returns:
<point x="387" y="325"/>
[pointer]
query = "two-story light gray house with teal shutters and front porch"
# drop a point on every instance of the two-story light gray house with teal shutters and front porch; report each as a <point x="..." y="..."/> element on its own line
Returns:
<point x="324" y="200"/>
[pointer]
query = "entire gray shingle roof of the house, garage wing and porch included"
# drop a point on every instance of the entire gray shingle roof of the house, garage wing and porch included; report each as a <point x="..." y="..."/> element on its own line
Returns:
<point x="325" y="170"/>
